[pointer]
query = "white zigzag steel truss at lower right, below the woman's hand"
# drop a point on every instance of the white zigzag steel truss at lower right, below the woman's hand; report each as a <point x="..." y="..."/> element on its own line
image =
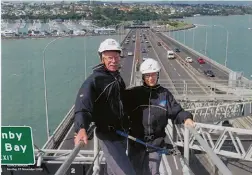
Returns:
<point x="225" y="141"/>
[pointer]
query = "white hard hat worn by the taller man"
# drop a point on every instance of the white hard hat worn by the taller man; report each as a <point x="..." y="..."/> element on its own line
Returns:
<point x="109" y="44"/>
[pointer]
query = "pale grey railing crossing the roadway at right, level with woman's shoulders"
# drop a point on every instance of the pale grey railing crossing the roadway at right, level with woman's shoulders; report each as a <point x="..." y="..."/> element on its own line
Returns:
<point x="188" y="89"/>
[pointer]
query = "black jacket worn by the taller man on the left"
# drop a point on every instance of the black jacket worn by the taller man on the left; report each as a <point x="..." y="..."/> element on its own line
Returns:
<point x="99" y="101"/>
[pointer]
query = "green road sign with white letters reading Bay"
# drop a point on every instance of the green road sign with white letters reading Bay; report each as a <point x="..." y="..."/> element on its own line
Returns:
<point x="17" y="145"/>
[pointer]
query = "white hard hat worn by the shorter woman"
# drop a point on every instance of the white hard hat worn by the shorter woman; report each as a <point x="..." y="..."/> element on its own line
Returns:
<point x="149" y="66"/>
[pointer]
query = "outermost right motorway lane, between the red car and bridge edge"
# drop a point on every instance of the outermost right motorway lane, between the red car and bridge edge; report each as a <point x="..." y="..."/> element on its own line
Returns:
<point x="219" y="73"/>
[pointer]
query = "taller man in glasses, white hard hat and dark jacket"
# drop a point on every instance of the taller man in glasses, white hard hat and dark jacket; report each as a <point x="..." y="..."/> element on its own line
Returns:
<point x="99" y="101"/>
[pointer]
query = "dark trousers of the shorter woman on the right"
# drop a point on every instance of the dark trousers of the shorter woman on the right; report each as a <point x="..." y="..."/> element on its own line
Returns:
<point x="145" y="163"/>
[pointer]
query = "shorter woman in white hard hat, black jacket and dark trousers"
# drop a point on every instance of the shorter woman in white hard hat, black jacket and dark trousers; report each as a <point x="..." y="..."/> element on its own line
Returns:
<point x="149" y="107"/>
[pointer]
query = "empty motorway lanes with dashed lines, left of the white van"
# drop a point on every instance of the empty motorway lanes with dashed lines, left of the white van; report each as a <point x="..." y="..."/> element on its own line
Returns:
<point x="181" y="78"/>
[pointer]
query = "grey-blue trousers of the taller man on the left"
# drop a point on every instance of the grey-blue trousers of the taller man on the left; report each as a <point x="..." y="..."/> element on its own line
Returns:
<point x="117" y="161"/>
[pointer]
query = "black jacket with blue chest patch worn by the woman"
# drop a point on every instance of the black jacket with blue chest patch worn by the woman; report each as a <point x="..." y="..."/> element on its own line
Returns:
<point x="149" y="109"/>
